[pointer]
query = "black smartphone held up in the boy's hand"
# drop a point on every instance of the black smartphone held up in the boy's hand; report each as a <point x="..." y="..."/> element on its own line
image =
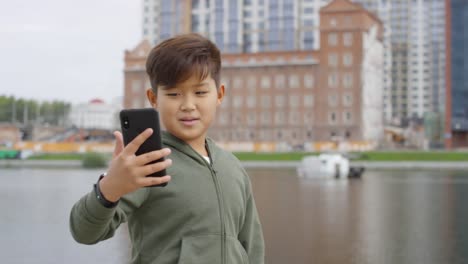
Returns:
<point x="133" y="122"/>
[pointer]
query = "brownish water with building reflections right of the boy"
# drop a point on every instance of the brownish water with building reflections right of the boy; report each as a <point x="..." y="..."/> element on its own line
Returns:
<point x="385" y="217"/>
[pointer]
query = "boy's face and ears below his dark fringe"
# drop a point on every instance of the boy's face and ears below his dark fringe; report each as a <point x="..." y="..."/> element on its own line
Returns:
<point x="188" y="109"/>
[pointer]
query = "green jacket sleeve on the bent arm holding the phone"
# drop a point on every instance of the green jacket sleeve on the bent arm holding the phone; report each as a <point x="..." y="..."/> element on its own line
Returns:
<point x="91" y="222"/>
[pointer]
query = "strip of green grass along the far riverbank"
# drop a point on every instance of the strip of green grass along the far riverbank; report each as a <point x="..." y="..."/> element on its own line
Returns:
<point x="77" y="164"/>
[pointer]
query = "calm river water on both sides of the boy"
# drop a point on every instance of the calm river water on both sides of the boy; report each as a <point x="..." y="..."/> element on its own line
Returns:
<point x="387" y="216"/>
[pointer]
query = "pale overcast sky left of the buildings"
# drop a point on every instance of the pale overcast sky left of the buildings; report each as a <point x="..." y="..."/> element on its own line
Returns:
<point x="69" y="50"/>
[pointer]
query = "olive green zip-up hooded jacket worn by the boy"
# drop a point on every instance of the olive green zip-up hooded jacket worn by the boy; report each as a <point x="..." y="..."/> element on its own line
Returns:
<point x="206" y="214"/>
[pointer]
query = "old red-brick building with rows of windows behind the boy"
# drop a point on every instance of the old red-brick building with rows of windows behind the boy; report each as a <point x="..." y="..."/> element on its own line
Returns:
<point x="295" y="97"/>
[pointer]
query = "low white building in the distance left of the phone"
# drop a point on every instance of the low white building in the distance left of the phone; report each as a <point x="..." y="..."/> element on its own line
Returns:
<point x="96" y="114"/>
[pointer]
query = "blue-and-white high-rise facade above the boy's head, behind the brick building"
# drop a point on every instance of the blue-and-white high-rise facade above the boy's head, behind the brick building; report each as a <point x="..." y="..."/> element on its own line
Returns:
<point x="237" y="26"/>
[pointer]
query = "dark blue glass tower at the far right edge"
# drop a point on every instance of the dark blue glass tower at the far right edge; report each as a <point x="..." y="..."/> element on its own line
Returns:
<point x="457" y="69"/>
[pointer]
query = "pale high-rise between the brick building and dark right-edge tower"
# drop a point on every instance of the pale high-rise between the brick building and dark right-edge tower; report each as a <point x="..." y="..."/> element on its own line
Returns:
<point x="414" y="70"/>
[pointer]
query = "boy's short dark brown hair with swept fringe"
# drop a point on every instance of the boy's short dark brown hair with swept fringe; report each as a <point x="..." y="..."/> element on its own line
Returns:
<point x="176" y="59"/>
